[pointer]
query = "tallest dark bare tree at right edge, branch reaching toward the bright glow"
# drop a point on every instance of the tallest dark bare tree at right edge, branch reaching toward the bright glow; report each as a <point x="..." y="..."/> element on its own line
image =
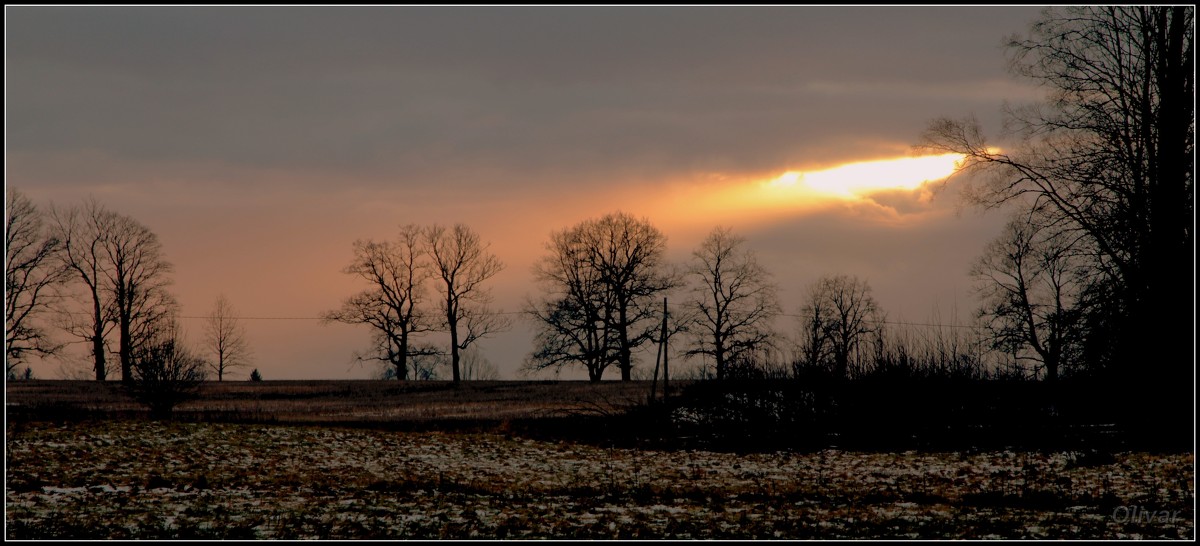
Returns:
<point x="1112" y="153"/>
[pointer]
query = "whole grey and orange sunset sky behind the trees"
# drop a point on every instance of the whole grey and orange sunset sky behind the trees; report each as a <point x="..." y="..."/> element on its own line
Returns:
<point x="259" y="143"/>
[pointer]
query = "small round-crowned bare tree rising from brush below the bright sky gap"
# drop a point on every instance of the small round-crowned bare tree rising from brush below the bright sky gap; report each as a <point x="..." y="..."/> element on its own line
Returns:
<point x="839" y="316"/>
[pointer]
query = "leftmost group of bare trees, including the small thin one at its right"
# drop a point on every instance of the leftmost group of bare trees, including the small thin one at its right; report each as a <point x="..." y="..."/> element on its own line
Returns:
<point x="97" y="275"/>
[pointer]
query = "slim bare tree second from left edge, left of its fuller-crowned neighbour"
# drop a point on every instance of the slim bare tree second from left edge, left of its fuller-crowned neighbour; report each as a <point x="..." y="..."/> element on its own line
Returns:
<point x="82" y="232"/>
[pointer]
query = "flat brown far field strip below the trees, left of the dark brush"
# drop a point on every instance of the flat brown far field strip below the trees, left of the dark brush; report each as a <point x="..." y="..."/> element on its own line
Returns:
<point x="338" y="401"/>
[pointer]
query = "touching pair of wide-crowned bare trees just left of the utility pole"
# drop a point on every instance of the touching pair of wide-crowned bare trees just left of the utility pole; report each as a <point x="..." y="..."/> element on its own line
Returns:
<point x="602" y="278"/>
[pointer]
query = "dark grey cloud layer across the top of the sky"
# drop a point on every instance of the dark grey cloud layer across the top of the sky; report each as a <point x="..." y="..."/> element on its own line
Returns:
<point x="415" y="92"/>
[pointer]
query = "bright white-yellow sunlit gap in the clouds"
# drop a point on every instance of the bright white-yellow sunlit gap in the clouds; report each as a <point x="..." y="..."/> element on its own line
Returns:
<point x="857" y="179"/>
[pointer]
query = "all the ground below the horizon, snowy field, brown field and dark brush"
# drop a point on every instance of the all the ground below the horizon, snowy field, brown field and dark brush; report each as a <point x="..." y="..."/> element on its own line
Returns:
<point x="494" y="460"/>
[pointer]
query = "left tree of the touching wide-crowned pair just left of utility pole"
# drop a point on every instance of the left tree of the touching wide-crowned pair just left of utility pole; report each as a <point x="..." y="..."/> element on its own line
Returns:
<point x="572" y="319"/>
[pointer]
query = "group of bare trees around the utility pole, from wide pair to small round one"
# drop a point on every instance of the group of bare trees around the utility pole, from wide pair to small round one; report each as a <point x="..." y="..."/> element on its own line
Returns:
<point x="602" y="281"/>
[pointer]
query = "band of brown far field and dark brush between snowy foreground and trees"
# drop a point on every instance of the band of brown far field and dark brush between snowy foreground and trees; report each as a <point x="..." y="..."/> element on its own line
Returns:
<point x="734" y="416"/>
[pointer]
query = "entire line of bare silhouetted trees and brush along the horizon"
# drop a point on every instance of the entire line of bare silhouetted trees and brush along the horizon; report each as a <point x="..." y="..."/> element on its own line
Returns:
<point x="1090" y="279"/>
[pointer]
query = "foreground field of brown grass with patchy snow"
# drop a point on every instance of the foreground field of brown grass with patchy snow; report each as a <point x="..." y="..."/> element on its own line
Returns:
<point x="137" y="479"/>
